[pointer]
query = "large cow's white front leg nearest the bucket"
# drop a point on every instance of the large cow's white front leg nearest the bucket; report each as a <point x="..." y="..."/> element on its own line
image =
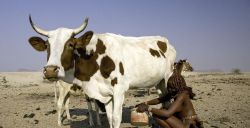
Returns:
<point x="117" y="113"/>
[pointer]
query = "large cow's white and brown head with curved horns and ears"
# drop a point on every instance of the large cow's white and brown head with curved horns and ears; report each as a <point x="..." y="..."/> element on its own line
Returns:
<point x="60" y="45"/>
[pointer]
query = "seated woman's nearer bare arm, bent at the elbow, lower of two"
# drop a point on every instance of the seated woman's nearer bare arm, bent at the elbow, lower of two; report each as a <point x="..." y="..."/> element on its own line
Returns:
<point x="174" y="107"/>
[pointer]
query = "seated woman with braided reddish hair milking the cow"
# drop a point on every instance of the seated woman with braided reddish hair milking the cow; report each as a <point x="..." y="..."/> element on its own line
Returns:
<point x="180" y="113"/>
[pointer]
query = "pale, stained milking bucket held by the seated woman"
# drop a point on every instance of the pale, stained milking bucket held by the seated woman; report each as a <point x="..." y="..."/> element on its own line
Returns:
<point x="138" y="119"/>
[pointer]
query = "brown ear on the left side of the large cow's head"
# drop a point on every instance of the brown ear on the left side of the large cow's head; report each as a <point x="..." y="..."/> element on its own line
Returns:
<point x="38" y="43"/>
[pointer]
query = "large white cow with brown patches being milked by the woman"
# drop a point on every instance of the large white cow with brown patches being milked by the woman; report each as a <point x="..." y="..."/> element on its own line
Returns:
<point x="107" y="65"/>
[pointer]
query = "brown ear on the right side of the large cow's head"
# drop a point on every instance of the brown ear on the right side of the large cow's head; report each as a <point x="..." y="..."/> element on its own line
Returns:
<point x="84" y="39"/>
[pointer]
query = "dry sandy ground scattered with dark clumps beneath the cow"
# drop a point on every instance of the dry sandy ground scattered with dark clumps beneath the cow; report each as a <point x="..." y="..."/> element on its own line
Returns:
<point x="27" y="101"/>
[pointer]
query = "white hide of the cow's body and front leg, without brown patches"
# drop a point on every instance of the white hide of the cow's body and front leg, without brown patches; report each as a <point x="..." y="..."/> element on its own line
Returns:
<point x="141" y="70"/>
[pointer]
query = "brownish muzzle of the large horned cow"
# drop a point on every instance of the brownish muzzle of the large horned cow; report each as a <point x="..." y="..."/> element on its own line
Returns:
<point x="51" y="72"/>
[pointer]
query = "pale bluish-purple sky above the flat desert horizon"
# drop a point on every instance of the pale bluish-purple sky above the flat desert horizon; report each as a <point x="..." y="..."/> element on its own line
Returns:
<point x="211" y="34"/>
